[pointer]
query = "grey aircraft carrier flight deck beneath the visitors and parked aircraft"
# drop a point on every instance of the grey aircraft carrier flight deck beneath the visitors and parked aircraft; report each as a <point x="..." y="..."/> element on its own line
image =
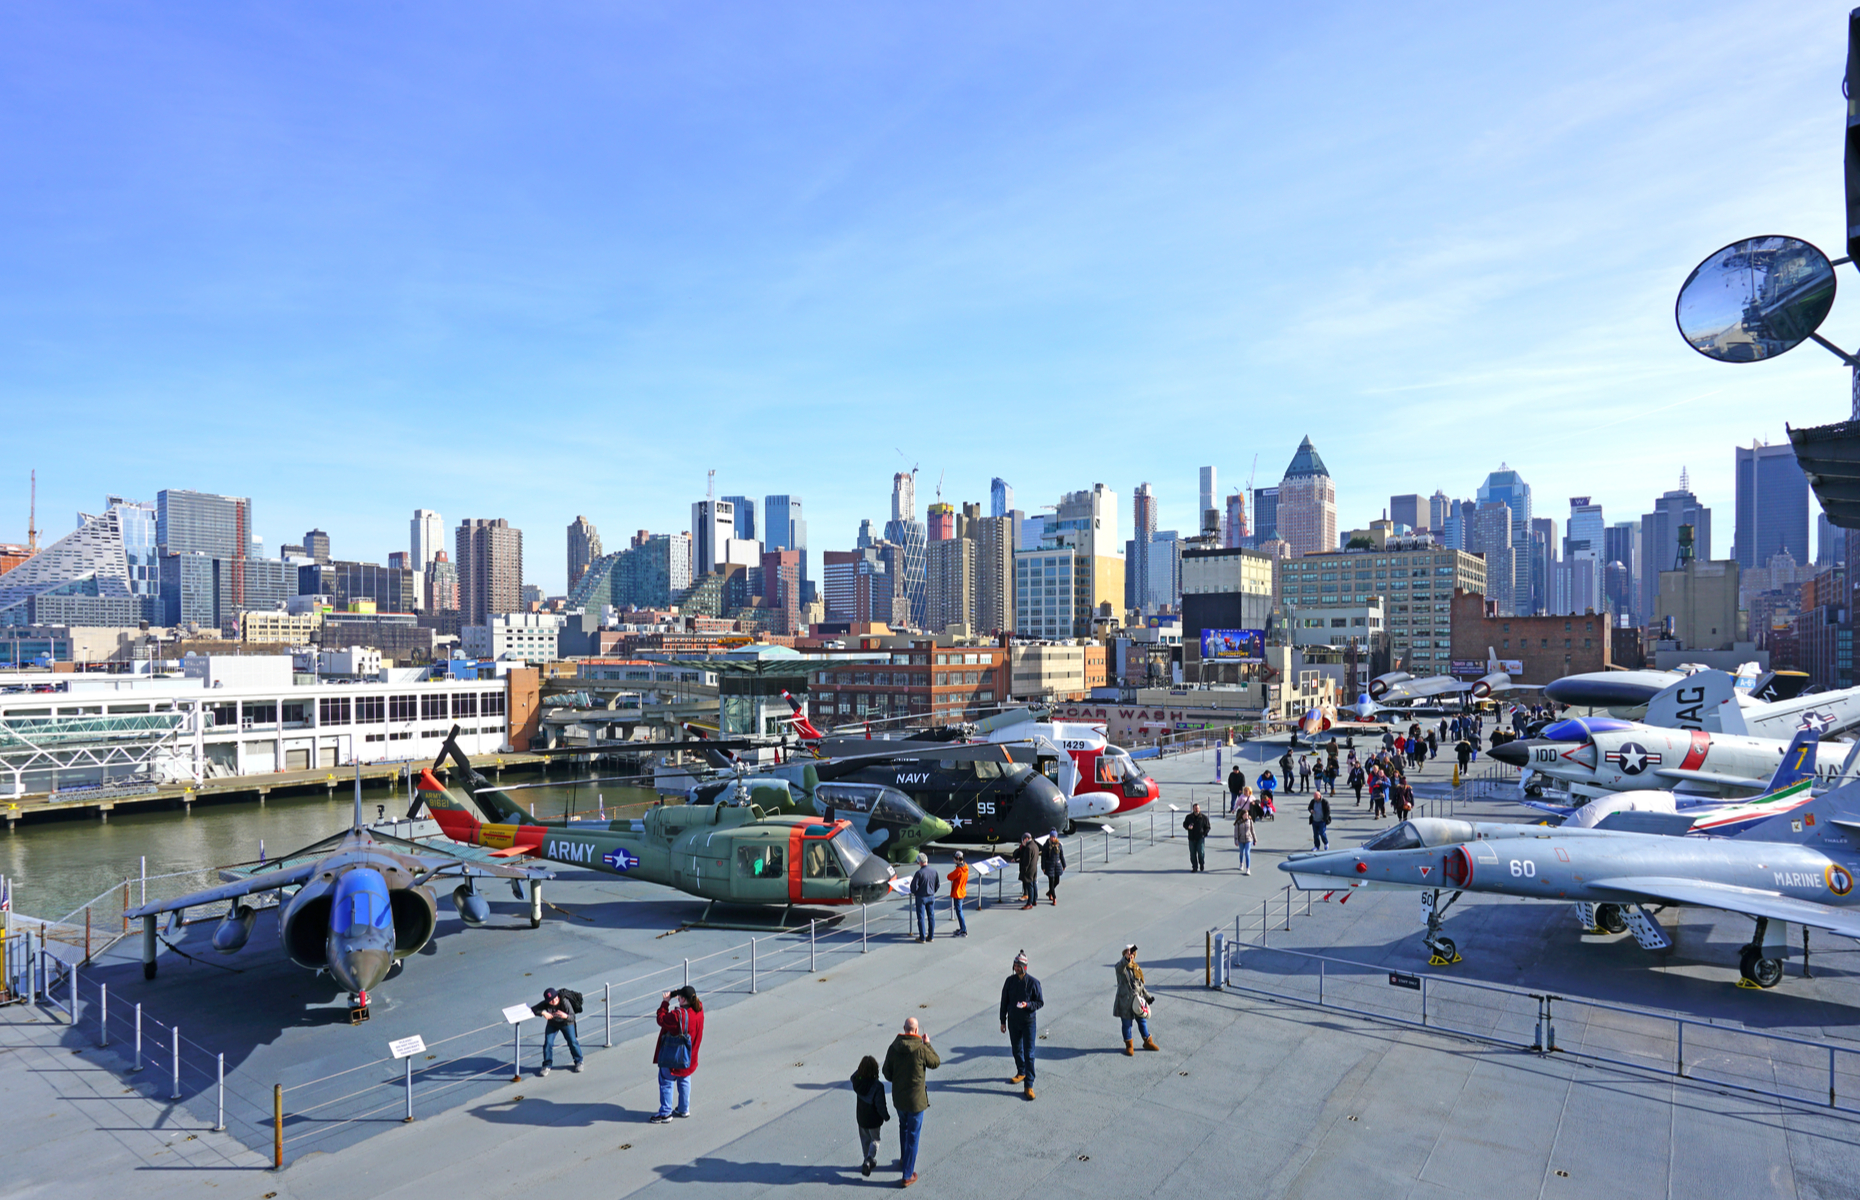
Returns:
<point x="1251" y="1095"/>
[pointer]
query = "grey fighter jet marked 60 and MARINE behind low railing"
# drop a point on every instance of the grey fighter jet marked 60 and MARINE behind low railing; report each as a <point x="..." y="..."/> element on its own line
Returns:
<point x="1792" y="868"/>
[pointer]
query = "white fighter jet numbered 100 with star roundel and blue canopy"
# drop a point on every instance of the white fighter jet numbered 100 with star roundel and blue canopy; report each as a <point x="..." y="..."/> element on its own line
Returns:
<point x="1601" y="754"/>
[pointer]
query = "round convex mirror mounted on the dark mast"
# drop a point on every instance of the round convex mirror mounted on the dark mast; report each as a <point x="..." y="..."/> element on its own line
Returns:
<point x="1755" y="300"/>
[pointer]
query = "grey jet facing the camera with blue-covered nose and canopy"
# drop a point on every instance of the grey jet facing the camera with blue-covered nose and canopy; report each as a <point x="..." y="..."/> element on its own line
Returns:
<point x="362" y="903"/>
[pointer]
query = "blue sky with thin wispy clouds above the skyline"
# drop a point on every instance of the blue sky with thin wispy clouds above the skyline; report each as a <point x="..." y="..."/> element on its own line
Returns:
<point x="538" y="261"/>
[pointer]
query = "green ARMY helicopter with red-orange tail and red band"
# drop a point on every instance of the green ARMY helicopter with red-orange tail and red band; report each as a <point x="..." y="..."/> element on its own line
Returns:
<point x="723" y="853"/>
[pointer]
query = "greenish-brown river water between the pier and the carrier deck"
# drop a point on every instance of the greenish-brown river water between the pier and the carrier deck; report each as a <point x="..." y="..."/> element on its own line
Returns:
<point x="57" y="866"/>
